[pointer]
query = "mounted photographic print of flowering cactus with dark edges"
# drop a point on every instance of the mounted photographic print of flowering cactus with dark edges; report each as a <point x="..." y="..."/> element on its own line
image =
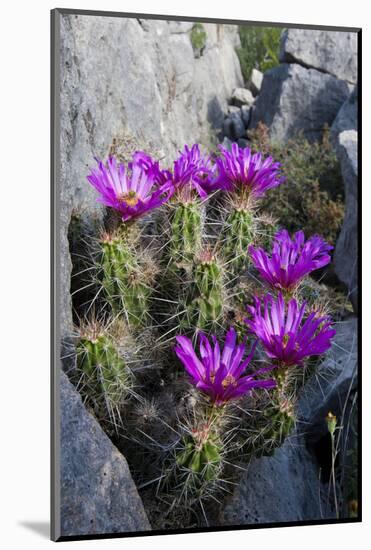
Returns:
<point x="206" y="275"/>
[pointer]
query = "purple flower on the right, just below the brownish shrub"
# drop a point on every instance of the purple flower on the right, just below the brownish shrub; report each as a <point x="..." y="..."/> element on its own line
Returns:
<point x="291" y="259"/>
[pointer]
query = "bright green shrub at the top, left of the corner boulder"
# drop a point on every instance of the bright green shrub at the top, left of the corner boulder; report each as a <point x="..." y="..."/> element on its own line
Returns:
<point x="259" y="48"/>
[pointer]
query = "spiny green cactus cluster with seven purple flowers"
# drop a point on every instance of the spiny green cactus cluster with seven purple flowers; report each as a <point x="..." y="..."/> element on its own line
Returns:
<point x="193" y="277"/>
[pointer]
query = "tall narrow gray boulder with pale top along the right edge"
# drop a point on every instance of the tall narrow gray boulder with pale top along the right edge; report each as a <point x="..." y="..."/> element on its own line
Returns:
<point x="346" y="251"/>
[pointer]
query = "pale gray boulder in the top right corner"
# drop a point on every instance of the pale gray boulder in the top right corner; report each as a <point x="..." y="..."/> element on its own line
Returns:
<point x="332" y="52"/>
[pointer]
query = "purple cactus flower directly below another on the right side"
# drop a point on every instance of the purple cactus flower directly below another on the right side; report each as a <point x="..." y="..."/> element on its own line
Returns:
<point x="285" y="336"/>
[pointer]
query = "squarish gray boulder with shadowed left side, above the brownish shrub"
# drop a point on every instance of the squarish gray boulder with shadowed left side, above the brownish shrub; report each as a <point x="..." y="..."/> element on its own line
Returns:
<point x="293" y="98"/>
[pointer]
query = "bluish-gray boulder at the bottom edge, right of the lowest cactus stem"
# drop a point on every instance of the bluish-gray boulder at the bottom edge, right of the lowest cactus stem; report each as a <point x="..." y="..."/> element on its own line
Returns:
<point x="282" y="488"/>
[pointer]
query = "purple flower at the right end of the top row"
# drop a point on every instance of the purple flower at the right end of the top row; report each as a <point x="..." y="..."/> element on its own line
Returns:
<point x="242" y="169"/>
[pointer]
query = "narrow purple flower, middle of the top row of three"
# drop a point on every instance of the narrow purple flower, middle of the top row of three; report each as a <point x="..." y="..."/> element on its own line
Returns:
<point x="192" y="171"/>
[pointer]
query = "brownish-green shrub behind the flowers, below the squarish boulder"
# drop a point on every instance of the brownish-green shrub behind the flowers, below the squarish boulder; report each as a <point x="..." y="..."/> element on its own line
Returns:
<point x="312" y="197"/>
